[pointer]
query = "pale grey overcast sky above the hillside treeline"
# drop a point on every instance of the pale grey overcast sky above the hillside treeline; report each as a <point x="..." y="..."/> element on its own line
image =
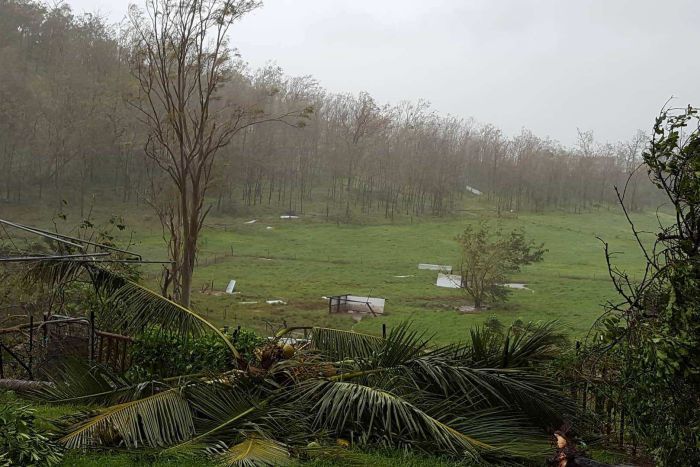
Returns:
<point x="548" y="65"/>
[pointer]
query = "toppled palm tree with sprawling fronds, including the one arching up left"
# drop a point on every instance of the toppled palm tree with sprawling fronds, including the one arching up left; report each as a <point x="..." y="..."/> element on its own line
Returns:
<point x="481" y="400"/>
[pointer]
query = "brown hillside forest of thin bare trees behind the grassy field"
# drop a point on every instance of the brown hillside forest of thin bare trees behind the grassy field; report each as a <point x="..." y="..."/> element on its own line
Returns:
<point x="68" y="132"/>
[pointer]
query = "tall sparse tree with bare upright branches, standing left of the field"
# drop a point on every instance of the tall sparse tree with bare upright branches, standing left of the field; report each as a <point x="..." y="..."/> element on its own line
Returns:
<point x="181" y="59"/>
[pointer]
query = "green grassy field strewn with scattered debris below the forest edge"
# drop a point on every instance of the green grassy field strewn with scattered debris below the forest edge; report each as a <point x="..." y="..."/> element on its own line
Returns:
<point x="300" y="261"/>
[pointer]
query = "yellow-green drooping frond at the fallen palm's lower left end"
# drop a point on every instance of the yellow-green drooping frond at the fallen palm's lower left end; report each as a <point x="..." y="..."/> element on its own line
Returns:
<point x="155" y="421"/>
